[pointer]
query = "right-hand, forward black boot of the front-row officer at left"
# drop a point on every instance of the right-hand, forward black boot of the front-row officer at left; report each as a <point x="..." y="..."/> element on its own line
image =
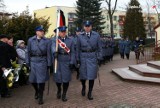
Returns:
<point x="41" y="89"/>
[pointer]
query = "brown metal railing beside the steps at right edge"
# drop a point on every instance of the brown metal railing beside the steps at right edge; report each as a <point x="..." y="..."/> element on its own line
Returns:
<point x="148" y="52"/>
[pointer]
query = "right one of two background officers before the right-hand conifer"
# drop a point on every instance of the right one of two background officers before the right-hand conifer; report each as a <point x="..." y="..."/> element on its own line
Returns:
<point x="127" y="45"/>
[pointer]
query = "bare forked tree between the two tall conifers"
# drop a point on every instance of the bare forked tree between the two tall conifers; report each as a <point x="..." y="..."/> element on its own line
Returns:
<point x="111" y="9"/>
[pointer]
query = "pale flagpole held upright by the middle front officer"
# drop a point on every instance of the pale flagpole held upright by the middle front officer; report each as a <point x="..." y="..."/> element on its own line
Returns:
<point x="57" y="32"/>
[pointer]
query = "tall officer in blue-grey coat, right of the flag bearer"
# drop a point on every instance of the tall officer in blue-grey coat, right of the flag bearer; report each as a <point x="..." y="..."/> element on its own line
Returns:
<point x="89" y="51"/>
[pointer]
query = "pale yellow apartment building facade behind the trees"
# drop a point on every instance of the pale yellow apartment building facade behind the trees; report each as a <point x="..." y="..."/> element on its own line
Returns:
<point x="118" y="20"/>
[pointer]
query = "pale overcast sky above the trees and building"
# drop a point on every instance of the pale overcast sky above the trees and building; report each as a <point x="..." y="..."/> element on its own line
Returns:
<point x="20" y="5"/>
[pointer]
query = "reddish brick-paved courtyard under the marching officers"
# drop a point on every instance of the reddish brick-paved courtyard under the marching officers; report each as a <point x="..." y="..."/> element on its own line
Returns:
<point x="113" y="92"/>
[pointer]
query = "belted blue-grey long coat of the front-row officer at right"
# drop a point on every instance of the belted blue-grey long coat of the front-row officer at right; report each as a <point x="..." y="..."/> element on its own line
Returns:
<point x="89" y="50"/>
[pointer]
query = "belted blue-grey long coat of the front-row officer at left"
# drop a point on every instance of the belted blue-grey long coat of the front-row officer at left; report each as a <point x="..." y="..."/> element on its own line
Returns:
<point x="38" y="57"/>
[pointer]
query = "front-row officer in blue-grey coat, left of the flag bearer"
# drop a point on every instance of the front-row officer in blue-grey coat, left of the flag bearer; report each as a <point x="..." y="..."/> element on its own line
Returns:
<point x="38" y="58"/>
